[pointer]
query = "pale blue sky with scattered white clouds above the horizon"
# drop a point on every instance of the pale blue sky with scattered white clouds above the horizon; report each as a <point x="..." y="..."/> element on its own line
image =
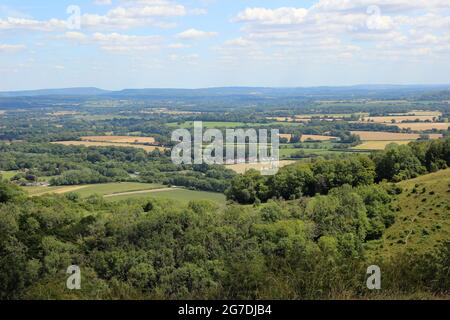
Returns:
<point x="117" y="44"/>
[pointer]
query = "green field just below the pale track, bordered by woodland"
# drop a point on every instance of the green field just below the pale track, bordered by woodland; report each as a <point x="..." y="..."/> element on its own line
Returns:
<point x="180" y="195"/>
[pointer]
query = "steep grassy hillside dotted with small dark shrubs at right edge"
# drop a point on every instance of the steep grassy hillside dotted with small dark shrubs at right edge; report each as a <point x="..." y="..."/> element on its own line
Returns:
<point x="423" y="219"/>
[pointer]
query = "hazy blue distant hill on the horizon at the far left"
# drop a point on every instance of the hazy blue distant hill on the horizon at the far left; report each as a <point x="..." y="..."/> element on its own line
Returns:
<point x="55" y="92"/>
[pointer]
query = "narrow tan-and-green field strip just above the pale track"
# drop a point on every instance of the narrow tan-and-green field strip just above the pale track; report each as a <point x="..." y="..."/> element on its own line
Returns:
<point x="89" y="189"/>
